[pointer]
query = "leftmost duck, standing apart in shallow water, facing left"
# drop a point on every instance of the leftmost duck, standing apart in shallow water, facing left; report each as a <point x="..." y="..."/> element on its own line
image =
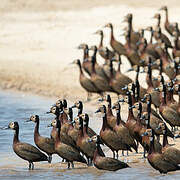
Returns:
<point x="25" y="151"/>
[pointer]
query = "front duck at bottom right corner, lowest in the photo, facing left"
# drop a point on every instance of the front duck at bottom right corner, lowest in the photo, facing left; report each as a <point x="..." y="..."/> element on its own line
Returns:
<point x="157" y="160"/>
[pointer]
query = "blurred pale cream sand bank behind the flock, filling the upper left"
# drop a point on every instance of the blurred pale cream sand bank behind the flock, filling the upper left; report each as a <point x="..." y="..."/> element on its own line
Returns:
<point x="38" y="39"/>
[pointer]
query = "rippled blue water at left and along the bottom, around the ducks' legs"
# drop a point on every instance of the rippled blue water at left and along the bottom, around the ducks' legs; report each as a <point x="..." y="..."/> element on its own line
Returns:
<point x="19" y="107"/>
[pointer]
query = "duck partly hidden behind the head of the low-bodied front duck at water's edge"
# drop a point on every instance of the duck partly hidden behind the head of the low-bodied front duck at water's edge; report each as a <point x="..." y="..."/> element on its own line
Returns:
<point x="82" y="142"/>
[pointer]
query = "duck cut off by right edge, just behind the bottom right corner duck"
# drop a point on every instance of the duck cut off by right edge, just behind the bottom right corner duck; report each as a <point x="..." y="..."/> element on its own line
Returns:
<point x="170" y="152"/>
